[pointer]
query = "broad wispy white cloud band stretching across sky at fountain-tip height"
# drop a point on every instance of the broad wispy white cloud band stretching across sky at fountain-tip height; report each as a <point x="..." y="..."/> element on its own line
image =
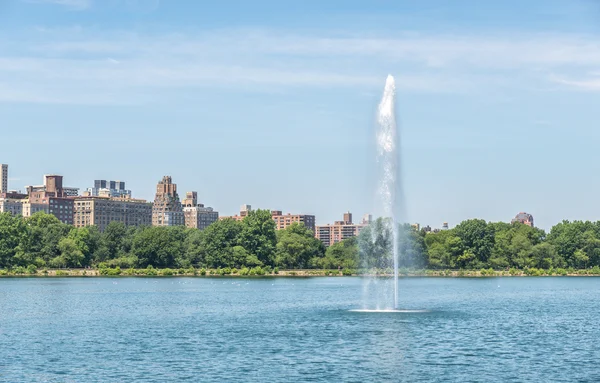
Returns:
<point x="87" y="66"/>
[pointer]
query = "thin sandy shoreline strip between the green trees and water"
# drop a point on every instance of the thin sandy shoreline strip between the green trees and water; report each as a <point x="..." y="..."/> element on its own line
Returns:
<point x="219" y="273"/>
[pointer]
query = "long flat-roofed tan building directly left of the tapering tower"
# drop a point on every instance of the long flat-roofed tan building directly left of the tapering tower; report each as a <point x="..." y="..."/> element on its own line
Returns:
<point x="100" y="211"/>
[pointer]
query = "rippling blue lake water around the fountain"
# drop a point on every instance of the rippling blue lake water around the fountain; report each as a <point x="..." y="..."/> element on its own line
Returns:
<point x="297" y="330"/>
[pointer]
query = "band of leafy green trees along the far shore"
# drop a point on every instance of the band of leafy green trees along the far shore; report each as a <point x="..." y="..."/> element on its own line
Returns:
<point x="42" y="241"/>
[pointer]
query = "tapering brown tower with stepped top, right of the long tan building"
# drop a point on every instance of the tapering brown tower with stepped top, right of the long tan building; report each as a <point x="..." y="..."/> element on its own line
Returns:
<point x="167" y="209"/>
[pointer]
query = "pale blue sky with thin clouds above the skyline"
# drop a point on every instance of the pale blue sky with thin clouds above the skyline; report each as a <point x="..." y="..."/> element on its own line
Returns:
<point x="273" y="103"/>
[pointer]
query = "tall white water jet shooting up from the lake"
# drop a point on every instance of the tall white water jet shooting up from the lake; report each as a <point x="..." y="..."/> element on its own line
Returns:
<point x="387" y="157"/>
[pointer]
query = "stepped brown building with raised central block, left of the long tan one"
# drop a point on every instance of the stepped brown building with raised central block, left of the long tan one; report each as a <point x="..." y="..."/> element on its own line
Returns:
<point x="50" y="198"/>
